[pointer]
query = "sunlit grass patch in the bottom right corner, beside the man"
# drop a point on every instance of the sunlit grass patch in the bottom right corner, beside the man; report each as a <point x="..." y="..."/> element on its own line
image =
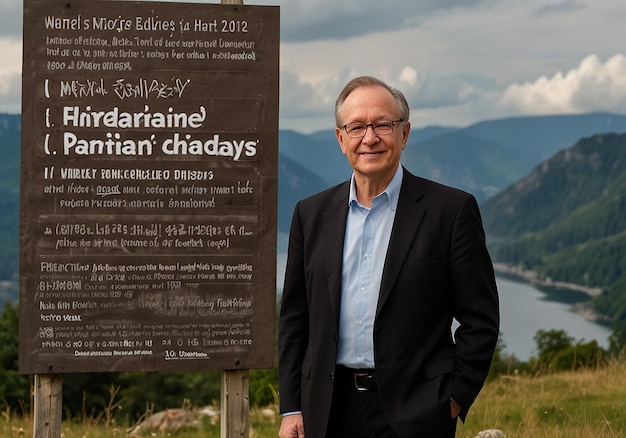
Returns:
<point x="584" y="403"/>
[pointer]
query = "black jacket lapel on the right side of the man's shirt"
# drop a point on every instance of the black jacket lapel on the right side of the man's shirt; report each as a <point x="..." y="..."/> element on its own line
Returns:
<point x="409" y="216"/>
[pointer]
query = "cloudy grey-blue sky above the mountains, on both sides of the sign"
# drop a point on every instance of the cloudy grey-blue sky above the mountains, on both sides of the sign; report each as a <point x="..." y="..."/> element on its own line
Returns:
<point x="457" y="61"/>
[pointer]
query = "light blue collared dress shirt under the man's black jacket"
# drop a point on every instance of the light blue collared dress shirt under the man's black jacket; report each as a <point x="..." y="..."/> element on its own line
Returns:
<point x="365" y="247"/>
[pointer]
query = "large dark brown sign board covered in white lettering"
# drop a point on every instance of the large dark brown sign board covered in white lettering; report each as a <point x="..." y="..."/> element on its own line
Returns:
<point x="149" y="186"/>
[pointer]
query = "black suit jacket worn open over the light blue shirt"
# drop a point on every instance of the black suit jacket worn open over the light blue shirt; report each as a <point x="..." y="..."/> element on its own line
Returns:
<point x="437" y="268"/>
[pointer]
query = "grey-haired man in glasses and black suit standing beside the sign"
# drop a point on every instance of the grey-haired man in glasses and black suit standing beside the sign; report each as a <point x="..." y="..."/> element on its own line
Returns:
<point x="377" y="268"/>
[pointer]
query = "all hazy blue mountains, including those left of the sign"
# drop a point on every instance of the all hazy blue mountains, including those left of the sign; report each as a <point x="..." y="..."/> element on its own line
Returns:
<point x="483" y="158"/>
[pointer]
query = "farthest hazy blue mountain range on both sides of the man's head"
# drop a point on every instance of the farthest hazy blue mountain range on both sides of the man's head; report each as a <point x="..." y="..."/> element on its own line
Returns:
<point x="482" y="158"/>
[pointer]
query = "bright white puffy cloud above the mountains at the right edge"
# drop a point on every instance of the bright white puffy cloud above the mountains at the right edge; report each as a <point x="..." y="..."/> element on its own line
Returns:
<point x="592" y="86"/>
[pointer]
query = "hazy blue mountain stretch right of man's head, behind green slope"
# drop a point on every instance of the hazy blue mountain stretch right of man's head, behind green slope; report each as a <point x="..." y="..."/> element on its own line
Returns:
<point x="488" y="156"/>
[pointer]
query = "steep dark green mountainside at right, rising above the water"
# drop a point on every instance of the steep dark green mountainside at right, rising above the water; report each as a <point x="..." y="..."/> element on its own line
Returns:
<point x="566" y="220"/>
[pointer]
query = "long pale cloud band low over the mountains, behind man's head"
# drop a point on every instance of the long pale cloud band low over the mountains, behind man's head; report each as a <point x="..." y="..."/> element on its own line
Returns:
<point x="461" y="98"/>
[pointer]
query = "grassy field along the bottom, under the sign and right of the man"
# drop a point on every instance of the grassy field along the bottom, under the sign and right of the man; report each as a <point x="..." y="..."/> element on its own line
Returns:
<point x="586" y="403"/>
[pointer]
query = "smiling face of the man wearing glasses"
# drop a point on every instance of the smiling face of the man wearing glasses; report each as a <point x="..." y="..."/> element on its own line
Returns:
<point x="372" y="156"/>
